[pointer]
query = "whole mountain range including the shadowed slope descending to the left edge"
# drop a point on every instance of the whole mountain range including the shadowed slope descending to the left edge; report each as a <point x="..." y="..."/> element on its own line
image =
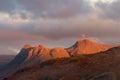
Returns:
<point x="33" y="56"/>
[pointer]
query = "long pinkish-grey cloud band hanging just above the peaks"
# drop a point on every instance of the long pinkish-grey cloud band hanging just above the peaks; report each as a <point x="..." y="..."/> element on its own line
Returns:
<point x="69" y="29"/>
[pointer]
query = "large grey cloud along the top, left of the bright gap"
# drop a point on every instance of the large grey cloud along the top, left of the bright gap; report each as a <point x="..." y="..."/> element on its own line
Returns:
<point x="56" y="8"/>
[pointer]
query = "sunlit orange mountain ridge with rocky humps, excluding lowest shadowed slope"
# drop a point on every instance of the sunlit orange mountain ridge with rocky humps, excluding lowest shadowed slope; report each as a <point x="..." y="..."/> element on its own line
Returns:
<point x="43" y="53"/>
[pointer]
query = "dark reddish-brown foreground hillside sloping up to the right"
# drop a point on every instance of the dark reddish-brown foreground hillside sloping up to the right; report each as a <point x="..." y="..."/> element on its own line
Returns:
<point x="101" y="66"/>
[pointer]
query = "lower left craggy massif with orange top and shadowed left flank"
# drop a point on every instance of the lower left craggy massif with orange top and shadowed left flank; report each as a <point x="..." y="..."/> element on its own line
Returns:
<point x="34" y="55"/>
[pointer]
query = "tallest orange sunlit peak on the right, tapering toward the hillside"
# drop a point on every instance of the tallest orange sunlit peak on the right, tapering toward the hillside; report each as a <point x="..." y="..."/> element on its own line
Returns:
<point x="87" y="47"/>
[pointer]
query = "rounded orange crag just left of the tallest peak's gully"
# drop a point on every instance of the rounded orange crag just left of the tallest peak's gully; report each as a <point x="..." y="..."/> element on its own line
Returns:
<point x="59" y="53"/>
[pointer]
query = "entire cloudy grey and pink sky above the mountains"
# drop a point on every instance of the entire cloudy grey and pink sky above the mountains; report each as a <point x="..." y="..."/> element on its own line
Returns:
<point x="57" y="22"/>
